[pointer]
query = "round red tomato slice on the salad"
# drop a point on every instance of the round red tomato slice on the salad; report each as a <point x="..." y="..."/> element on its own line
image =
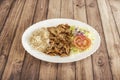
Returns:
<point x="82" y="42"/>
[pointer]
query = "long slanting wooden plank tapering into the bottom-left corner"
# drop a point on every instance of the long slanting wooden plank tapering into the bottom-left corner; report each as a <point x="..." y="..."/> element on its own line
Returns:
<point x="7" y="34"/>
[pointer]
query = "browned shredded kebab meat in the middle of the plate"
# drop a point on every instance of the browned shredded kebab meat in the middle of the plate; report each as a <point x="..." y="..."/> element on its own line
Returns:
<point x="59" y="40"/>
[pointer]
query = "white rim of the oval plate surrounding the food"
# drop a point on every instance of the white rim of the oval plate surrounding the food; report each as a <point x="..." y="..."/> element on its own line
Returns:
<point x="57" y="59"/>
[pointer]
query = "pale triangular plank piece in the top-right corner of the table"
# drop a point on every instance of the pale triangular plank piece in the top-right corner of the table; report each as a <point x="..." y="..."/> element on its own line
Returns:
<point x="115" y="6"/>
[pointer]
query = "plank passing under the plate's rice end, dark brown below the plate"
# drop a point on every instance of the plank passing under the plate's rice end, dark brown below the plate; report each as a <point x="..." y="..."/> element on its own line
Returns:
<point x="32" y="65"/>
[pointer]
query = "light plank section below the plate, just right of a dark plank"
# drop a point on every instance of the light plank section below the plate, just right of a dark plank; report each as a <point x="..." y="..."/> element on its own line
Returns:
<point x="48" y="71"/>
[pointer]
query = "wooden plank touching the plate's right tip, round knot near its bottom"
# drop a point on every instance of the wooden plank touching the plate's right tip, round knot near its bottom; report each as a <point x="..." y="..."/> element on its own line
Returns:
<point x="100" y="60"/>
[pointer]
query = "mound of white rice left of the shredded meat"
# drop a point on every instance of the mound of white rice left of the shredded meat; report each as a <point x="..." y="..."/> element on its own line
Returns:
<point x="39" y="39"/>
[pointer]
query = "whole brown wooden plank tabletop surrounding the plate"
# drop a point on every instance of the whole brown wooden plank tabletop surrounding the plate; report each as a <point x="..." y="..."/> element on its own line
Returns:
<point x="17" y="15"/>
